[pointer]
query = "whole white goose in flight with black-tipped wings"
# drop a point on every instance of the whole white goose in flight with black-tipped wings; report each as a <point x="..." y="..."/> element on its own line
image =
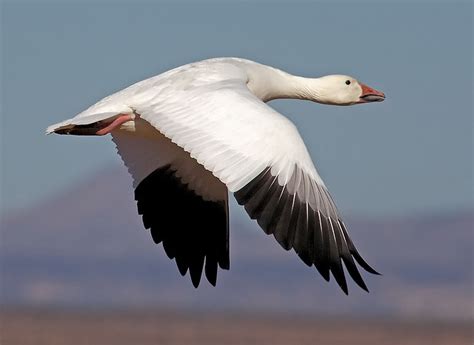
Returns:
<point x="191" y="134"/>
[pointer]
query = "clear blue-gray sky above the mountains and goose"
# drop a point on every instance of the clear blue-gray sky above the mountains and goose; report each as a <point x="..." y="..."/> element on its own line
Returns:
<point x="411" y="153"/>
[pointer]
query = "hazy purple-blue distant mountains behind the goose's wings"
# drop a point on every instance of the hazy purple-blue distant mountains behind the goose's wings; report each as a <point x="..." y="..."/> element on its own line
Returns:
<point x="87" y="247"/>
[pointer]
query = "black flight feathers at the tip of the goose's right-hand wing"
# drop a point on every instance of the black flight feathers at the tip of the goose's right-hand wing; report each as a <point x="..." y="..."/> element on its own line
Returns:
<point x="312" y="227"/>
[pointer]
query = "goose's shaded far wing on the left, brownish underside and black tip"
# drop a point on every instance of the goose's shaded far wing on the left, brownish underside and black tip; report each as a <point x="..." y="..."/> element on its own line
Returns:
<point x="184" y="205"/>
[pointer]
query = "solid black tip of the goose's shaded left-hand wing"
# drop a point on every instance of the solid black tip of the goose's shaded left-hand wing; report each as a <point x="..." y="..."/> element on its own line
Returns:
<point x="159" y="197"/>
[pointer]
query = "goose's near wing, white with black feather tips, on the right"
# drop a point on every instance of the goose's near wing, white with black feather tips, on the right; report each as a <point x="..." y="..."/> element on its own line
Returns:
<point x="260" y="156"/>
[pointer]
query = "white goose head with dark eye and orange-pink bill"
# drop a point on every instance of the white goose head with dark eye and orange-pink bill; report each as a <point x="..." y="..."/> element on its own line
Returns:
<point x="345" y="90"/>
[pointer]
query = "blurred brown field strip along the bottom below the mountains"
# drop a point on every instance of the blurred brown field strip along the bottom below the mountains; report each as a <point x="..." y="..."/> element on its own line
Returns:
<point x="54" y="327"/>
